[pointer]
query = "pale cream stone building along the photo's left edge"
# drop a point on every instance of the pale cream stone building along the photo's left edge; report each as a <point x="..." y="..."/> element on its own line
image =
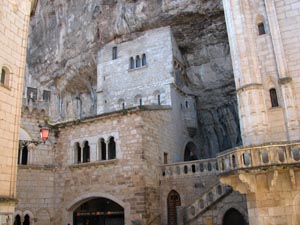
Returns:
<point x="14" y="20"/>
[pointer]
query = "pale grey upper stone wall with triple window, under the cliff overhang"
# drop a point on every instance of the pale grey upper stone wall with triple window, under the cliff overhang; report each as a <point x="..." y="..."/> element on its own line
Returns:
<point x="117" y="82"/>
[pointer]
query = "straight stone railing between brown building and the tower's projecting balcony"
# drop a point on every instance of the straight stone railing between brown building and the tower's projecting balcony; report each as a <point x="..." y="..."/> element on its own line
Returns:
<point x="205" y="167"/>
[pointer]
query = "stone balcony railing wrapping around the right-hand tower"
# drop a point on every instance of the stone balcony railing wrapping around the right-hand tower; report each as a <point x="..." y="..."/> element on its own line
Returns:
<point x="259" y="156"/>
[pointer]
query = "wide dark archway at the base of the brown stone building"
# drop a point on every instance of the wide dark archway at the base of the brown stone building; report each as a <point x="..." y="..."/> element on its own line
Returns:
<point x="99" y="211"/>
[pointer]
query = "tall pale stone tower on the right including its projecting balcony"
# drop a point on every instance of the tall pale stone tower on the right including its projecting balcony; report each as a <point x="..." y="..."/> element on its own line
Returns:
<point x="264" y="42"/>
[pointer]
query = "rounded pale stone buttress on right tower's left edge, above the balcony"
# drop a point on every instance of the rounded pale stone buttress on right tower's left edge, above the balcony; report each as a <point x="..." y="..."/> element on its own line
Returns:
<point x="248" y="77"/>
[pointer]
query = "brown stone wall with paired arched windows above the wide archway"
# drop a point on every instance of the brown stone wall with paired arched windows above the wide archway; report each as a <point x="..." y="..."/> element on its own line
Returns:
<point x="126" y="179"/>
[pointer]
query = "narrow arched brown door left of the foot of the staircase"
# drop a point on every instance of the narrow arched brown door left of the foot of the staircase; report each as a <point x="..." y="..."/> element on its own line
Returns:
<point x="173" y="202"/>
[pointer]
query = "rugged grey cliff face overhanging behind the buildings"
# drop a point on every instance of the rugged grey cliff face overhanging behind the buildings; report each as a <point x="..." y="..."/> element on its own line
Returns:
<point x="66" y="35"/>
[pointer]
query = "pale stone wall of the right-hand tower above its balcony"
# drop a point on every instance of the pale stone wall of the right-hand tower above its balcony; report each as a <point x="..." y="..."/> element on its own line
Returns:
<point x="262" y="62"/>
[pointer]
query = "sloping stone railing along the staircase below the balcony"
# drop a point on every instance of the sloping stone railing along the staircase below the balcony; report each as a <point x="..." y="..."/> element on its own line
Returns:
<point x="209" y="198"/>
